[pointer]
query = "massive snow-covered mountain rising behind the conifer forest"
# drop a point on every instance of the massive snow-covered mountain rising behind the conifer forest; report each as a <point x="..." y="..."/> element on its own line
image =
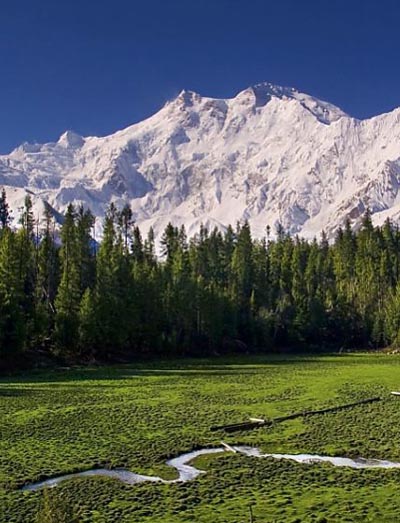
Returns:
<point x="270" y="154"/>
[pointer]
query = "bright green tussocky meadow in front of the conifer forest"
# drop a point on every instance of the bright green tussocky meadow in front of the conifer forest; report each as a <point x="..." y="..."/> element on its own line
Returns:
<point x="138" y="416"/>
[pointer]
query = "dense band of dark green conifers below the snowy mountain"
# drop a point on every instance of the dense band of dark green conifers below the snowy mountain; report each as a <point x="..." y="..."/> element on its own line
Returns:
<point x="63" y="293"/>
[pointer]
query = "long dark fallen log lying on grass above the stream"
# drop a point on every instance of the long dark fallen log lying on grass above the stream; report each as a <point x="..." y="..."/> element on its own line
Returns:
<point x="255" y="423"/>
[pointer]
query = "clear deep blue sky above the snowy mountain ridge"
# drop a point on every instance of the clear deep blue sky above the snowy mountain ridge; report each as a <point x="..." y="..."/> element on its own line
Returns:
<point x="97" y="66"/>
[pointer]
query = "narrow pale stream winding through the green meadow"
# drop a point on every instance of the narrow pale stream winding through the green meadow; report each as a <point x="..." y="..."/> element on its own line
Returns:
<point x="187" y="472"/>
